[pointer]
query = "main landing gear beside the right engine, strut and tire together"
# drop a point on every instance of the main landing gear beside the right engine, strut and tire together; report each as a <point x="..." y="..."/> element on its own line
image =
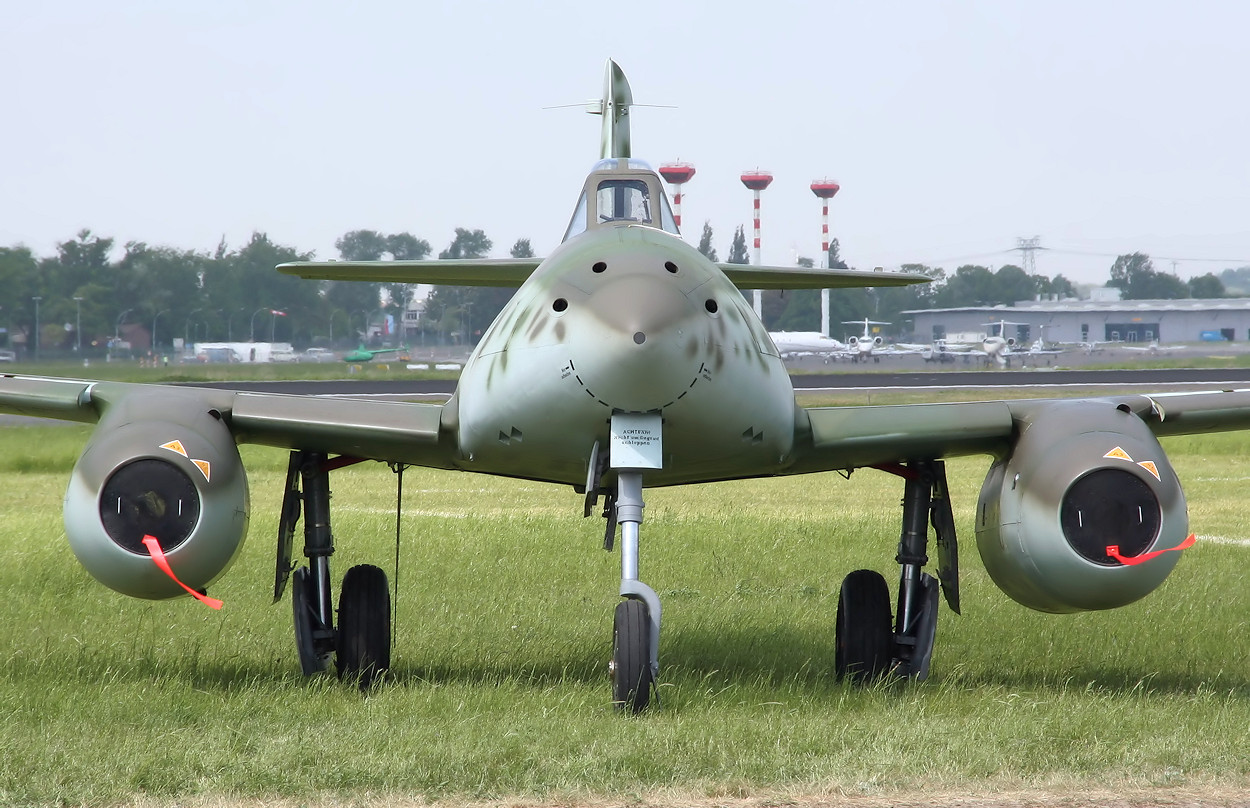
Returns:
<point x="871" y="642"/>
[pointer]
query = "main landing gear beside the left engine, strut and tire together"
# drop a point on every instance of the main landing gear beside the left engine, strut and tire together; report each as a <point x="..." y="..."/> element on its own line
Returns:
<point x="361" y="644"/>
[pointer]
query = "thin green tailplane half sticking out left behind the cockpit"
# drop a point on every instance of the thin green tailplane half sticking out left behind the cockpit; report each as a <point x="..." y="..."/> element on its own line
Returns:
<point x="471" y="272"/>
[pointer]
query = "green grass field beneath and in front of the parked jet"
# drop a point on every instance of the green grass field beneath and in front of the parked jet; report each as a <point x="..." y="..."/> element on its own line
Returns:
<point x="501" y="694"/>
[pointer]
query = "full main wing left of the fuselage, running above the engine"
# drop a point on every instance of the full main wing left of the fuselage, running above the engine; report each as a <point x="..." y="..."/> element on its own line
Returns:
<point x="369" y="430"/>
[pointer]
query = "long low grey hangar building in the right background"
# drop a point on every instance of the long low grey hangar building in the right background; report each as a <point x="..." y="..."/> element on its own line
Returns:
<point x="1094" y="321"/>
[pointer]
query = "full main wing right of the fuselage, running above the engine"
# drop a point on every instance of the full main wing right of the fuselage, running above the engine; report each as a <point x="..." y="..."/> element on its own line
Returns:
<point x="838" y="438"/>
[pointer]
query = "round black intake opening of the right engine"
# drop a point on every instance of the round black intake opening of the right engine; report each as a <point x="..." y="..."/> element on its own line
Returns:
<point x="1111" y="507"/>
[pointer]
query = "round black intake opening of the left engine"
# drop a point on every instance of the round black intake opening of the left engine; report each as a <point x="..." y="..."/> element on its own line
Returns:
<point x="149" y="497"/>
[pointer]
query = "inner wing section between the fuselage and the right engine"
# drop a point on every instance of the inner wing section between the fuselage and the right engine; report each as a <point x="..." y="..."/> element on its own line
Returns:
<point x="853" y="437"/>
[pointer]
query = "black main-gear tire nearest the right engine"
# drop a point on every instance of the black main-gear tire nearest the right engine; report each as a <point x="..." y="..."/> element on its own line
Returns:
<point x="866" y="632"/>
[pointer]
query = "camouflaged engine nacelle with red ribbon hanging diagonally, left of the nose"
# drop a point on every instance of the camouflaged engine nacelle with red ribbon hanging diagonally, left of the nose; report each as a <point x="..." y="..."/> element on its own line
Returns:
<point x="166" y="467"/>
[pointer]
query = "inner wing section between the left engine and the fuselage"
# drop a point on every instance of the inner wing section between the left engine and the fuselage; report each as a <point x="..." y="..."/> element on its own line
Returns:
<point x="382" y="431"/>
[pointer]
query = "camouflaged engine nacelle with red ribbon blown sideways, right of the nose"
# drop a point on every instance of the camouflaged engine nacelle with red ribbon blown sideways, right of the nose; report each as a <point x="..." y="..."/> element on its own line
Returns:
<point x="1082" y="477"/>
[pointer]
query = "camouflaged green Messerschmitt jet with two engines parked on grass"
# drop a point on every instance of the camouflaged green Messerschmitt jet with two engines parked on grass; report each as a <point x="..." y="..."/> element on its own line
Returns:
<point x="628" y="361"/>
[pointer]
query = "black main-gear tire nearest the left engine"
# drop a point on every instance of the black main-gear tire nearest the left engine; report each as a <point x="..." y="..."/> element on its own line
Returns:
<point x="364" y="626"/>
